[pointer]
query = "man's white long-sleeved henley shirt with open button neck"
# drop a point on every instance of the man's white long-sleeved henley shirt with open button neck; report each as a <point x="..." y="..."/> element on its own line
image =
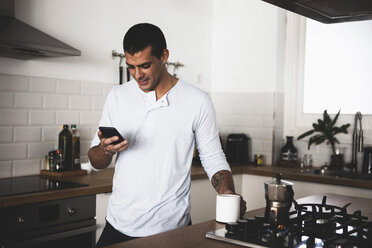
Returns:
<point x="151" y="185"/>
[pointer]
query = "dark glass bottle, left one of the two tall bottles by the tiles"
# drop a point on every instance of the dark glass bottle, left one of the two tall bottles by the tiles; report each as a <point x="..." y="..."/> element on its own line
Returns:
<point x="65" y="145"/>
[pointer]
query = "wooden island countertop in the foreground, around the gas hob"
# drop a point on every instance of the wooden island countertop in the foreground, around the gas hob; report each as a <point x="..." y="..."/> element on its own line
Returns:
<point x="194" y="236"/>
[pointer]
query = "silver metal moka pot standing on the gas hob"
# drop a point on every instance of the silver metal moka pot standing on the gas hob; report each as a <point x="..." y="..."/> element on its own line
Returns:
<point x="279" y="196"/>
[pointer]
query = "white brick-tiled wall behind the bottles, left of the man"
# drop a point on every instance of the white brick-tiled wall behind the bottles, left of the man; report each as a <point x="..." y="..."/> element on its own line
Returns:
<point x="32" y="112"/>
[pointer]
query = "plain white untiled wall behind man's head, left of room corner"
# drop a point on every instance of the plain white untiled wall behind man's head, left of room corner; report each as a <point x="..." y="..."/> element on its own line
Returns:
<point x="97" y="27"/>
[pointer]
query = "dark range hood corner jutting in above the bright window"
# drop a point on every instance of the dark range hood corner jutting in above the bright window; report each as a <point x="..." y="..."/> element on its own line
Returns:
<point x="328" y="11"/>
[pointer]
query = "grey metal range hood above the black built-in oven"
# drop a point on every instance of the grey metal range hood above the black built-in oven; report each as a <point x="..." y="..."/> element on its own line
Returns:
<point x="20" y="40"/>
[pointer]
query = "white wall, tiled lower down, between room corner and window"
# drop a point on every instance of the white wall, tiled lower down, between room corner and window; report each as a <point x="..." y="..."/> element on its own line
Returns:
<point x="247" y="65"/>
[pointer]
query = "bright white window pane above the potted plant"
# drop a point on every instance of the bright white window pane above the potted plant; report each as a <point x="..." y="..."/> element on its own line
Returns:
<point x="338" y="67"/>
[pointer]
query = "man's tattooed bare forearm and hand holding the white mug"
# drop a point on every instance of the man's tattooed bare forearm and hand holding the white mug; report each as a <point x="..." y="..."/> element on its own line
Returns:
<point x="223" y="182"/>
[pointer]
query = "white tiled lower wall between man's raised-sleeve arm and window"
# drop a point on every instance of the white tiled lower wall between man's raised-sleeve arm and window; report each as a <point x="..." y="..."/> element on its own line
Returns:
<point x="248" y="113"/>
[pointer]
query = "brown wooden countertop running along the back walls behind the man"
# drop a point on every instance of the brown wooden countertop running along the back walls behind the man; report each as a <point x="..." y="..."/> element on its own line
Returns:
<point x="101" y="182"/>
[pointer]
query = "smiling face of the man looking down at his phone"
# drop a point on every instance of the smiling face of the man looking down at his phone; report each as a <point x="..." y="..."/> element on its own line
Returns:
<point x="146" y="69"/>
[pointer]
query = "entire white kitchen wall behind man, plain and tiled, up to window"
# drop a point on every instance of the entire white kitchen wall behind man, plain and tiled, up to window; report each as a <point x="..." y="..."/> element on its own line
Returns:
<point x="232" y="49"/>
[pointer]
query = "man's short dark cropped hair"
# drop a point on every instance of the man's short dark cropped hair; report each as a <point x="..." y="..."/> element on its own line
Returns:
<point x="143" y="35"/>
